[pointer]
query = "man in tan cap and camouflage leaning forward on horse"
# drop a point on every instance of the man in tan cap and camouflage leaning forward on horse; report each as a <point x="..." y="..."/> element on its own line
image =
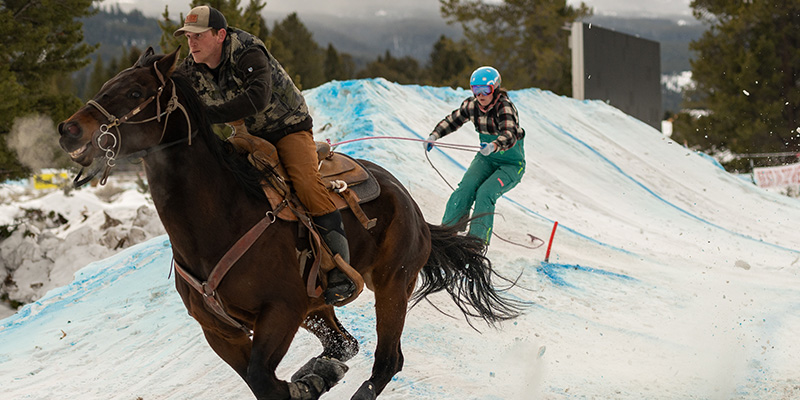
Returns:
<point x="238" y="79"/>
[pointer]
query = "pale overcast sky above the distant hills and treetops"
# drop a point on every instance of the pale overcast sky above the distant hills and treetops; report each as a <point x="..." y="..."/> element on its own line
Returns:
<point x="648" y="8"/>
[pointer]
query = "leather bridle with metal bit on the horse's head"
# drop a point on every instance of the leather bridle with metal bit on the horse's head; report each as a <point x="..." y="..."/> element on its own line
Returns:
<point x="112" y="150"/>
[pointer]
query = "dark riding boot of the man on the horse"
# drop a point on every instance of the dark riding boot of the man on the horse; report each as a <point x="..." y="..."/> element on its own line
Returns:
<point x="331" y="228"/>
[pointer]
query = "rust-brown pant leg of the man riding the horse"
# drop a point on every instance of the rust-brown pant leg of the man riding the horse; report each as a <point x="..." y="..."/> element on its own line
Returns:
<point x="298" y="154"/>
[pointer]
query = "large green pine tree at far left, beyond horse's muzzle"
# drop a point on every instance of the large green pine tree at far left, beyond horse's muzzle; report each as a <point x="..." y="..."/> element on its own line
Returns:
<point x="40" y="45"/>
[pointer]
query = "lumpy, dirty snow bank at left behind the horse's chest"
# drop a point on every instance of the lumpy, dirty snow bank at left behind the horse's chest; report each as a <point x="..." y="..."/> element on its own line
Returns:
<point x="55" y="233"/>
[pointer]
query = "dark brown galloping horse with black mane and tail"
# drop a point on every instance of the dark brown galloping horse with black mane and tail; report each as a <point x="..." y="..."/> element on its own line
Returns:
<point x="208" y="197"/>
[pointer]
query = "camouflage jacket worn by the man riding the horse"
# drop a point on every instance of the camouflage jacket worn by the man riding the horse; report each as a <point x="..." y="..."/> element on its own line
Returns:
<point x="229" y="90"/>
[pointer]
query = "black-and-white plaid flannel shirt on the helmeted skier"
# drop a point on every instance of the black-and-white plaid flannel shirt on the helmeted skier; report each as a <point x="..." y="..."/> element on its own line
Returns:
<point x="502" y="120"/>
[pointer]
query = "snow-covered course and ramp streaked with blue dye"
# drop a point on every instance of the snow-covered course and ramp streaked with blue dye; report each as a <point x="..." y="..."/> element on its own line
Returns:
<point x="668" y="279"/>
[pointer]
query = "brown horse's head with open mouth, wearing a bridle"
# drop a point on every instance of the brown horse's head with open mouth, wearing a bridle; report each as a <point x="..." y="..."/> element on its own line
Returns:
<point x="120" y="120"/>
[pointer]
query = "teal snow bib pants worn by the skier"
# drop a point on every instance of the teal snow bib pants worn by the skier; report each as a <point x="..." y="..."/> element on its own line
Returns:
<point x="486" y="179"/>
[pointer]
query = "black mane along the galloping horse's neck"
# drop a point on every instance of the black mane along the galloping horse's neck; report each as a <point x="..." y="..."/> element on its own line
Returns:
<point x="248" y="177"/>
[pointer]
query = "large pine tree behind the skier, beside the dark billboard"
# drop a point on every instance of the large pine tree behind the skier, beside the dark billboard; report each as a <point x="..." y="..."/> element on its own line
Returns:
<point x="523" y="39"/>
